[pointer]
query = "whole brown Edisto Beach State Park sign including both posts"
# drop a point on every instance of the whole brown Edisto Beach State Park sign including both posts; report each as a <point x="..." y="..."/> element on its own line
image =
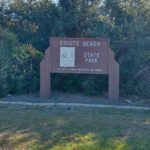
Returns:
<point x="82" y="56"/>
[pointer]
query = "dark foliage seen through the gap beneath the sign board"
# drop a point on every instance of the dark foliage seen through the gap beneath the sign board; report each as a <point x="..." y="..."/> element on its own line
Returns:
<point x="89" y="84"/>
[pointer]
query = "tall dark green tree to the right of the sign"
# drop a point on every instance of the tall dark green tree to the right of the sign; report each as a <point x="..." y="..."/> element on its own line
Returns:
<point x="132" y="47"/>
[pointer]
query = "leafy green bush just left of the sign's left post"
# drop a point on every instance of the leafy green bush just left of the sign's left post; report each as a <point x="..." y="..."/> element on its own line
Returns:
<point x="18" y="70"/>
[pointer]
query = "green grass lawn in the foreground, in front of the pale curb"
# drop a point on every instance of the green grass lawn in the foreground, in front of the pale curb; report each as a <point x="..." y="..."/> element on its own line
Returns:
<point x="60" y="128"/>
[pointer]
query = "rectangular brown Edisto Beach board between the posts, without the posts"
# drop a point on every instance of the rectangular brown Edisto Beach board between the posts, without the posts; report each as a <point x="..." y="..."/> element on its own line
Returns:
<point x="71" y="55"/>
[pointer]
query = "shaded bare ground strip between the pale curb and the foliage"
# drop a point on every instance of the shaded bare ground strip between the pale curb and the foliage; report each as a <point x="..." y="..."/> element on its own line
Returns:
<point x="60" y="97"/>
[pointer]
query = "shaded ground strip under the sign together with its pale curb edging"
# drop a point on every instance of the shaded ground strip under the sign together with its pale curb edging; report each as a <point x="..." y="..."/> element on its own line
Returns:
<point x="61" y="98"/>
